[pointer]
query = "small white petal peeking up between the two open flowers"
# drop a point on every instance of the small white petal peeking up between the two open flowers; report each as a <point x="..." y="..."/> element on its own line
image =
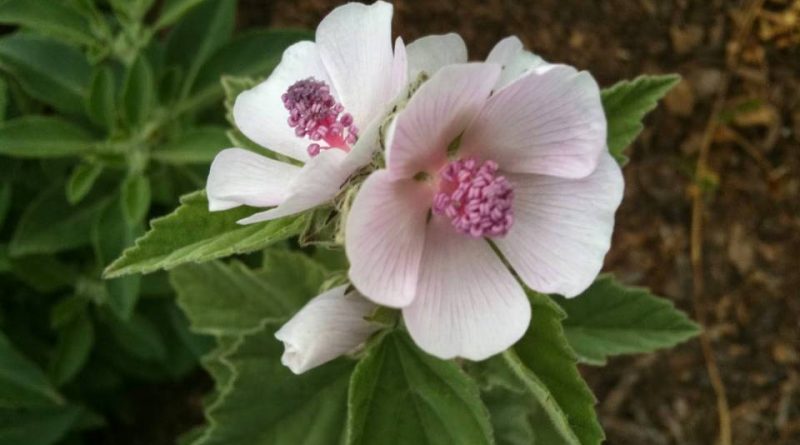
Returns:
<point x="430" y="53"/>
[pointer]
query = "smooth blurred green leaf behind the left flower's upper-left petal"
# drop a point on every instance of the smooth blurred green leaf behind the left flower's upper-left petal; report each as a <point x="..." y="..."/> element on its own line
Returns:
<point x="254" y="53"/>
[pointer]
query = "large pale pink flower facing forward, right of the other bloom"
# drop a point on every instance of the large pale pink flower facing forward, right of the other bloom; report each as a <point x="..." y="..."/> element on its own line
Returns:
<point x="531" y="176"/>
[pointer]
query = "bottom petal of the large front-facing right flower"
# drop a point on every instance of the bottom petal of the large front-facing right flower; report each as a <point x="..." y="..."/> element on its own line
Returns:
<point x="468" y="304"/>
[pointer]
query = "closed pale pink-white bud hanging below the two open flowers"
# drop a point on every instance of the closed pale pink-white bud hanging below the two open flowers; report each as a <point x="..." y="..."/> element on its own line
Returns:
<point x="330" y="325"/>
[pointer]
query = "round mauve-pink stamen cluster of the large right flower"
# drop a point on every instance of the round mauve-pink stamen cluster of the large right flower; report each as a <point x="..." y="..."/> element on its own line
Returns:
<point x="477" y="200"/>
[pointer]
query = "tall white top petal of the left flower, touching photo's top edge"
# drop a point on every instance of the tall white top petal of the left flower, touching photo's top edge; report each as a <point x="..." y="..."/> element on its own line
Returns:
<point x="355" y="44"/>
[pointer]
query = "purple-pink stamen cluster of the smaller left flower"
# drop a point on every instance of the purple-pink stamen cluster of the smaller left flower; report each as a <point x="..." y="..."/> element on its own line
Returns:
<point x="314" y="113"/>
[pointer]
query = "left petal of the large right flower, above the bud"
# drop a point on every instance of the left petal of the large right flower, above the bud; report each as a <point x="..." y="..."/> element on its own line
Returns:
<point x="384" y="237"/>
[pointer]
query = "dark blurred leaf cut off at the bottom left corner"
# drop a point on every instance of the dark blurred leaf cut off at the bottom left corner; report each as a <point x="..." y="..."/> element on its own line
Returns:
<point x="44" y="426"/>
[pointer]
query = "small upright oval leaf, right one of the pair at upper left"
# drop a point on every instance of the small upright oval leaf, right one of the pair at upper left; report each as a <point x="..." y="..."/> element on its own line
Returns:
<point x="139" y="92"/>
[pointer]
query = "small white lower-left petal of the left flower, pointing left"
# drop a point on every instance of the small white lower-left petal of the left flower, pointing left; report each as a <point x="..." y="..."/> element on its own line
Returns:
<point x="241" y="177"/>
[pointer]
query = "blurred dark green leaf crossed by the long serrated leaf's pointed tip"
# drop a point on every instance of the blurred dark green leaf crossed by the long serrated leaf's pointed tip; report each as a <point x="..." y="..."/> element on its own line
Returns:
<point x="111" y="235"/>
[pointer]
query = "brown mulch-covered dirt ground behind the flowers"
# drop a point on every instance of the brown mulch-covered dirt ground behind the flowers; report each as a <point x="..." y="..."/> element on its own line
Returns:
<point x="751" y="190"/>
